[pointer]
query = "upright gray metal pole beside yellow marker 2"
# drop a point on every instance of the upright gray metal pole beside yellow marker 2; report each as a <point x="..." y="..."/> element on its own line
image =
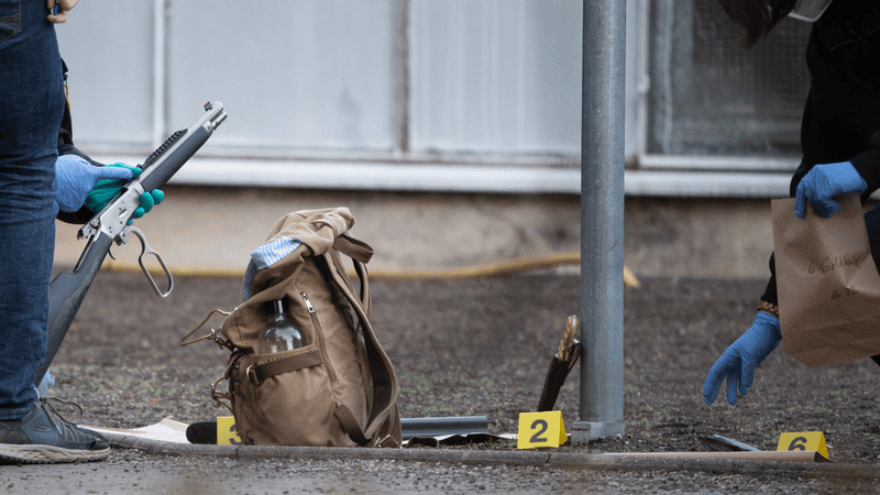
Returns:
<point x="602" y="160"/>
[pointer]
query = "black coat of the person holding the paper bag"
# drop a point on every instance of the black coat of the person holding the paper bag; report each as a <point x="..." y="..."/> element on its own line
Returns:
<point x="842" y="114"/>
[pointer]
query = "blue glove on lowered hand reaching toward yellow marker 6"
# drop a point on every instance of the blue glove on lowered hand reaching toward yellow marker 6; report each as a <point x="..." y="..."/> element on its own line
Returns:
<point x="737" y="363"/>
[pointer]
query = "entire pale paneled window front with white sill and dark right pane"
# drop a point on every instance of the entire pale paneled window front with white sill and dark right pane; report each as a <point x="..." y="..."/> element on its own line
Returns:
<point x="315" y="84"/>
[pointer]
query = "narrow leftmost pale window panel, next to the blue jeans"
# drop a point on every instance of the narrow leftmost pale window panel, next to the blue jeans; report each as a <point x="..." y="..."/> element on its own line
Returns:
<point x="108" y="47"/>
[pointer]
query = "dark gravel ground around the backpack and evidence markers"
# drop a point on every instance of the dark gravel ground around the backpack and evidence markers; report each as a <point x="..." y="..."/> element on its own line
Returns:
<point x="463" y="348"/>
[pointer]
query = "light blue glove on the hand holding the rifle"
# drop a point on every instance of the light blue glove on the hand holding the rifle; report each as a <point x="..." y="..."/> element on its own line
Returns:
<point x="76" y="178"/>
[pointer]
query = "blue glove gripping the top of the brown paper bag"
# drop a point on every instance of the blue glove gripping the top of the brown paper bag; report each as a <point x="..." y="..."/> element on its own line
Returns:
<point x="822" y="183"/>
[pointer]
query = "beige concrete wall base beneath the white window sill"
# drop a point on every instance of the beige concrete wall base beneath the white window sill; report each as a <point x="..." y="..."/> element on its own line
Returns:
<point x="213" y="229"/>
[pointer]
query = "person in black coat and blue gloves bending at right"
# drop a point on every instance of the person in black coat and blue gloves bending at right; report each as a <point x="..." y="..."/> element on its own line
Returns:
<point x="840" y="141"/>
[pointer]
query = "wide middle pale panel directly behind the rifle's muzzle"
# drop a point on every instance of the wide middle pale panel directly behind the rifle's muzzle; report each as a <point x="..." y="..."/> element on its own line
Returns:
<point x="294" y="74"/>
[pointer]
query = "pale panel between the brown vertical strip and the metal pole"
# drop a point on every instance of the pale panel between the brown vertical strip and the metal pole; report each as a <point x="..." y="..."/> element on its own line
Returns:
<point x="496" y="75"/>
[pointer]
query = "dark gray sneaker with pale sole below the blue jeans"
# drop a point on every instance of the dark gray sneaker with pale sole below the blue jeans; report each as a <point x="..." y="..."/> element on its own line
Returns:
<point x="39" y="438"/>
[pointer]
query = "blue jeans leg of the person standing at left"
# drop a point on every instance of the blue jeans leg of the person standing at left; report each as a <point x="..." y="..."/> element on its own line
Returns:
<point x="31" y="107"/>
